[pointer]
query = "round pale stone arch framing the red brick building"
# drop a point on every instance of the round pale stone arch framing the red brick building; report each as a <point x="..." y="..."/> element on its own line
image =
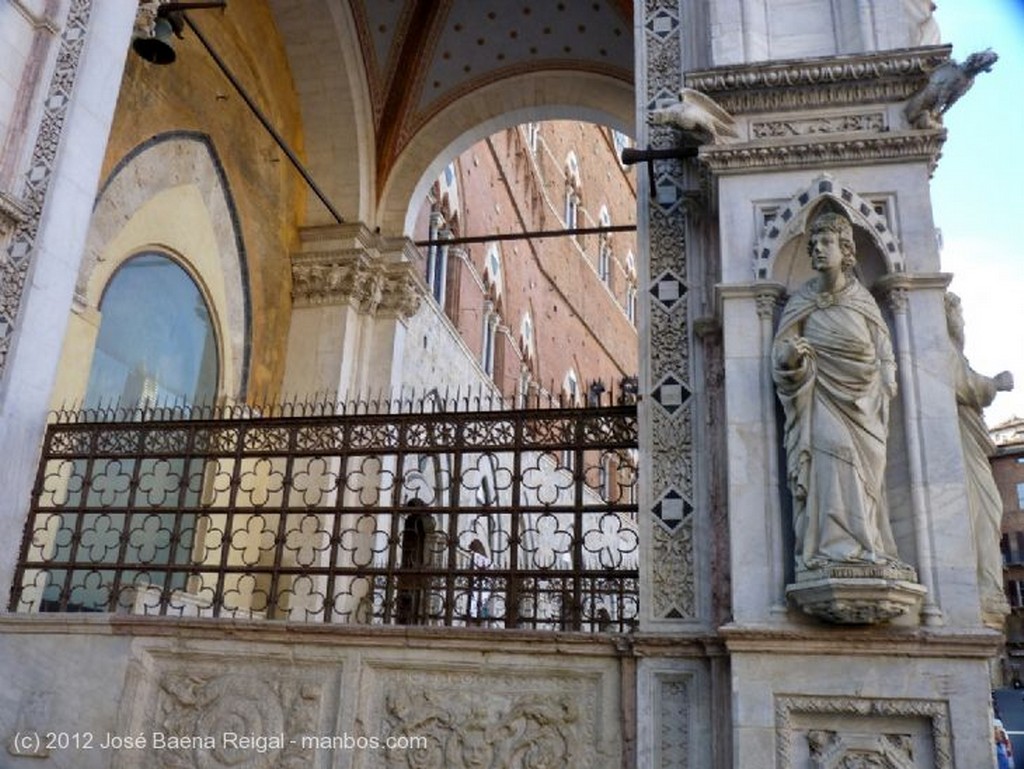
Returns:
<point x="547" y="96"/>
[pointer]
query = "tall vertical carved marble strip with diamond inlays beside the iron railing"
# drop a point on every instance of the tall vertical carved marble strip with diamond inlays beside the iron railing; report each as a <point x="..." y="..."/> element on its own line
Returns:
<point x="669" y="423"/>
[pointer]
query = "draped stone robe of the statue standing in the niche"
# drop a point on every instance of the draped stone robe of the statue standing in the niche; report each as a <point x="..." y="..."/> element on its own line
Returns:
<point x="836" y="404"/>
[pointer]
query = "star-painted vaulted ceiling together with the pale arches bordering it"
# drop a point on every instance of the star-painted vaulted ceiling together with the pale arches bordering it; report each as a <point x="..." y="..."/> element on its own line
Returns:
<point x="406" y="80"/>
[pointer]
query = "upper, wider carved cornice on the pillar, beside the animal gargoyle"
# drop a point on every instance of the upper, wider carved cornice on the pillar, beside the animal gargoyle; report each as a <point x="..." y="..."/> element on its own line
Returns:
<point x="817" y="83"/>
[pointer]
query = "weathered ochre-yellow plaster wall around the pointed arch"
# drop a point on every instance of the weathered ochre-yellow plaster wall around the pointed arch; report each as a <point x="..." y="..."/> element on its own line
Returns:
<point x="193" y="96"/>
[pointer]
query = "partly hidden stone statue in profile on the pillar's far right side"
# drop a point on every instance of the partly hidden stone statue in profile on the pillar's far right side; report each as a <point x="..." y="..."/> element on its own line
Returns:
<point x="974" y="393"/>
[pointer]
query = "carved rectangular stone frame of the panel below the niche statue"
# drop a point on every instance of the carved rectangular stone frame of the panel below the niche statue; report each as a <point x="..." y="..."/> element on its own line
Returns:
<point x="934" y="712"/>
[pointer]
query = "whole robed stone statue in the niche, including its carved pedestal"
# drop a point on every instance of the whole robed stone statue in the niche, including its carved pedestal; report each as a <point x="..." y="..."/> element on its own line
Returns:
<point x="835" y="374"/>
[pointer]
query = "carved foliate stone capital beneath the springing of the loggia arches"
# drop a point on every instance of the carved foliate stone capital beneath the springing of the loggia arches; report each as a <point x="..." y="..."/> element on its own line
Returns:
<point x="349" y="265"/>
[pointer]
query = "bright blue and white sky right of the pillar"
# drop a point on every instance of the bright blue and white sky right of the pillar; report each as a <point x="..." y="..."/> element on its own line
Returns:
<point x="977" y="192"/>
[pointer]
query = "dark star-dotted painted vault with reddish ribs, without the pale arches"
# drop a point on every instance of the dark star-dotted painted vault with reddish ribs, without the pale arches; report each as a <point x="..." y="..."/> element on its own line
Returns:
<point x="422" y="56"/>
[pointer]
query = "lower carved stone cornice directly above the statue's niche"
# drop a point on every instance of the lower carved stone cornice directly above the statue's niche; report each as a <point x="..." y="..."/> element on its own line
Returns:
<point x="824" y="151"/>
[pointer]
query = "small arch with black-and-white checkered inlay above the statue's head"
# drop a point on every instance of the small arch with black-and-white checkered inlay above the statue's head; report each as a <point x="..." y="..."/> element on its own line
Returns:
<point x="791" y="222"/>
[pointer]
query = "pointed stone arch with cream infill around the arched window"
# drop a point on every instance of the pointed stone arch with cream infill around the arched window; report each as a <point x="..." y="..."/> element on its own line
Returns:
<point x="170" y="194"/>
